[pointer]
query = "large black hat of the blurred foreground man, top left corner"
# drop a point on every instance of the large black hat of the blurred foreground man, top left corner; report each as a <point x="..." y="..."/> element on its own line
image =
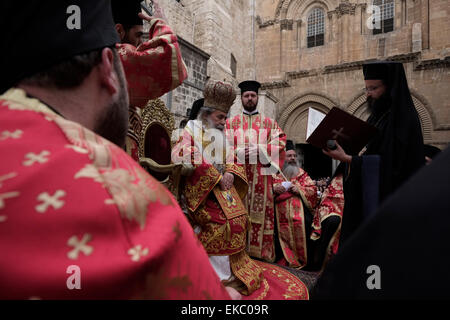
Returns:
<point x="40" y="34"/>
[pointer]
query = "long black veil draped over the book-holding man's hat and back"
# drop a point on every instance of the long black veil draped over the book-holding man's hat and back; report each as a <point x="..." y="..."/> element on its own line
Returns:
<point x="401" y="140"/>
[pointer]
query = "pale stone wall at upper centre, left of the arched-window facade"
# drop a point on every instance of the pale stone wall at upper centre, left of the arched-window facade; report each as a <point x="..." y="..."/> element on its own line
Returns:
<point x="219" y="29"/>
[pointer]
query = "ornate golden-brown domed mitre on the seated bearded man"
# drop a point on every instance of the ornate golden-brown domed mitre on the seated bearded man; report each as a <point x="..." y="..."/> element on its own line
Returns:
<point x="219" y="95"/>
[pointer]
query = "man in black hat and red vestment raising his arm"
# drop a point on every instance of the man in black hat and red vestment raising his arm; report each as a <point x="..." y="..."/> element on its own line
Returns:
<point x="152" y="68"/>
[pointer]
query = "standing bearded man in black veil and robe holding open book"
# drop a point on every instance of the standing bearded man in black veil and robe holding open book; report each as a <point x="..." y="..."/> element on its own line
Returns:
<point x="391" y="156"/>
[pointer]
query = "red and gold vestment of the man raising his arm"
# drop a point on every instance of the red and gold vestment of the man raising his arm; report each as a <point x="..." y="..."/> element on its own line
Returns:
<point x="152" y="69"/>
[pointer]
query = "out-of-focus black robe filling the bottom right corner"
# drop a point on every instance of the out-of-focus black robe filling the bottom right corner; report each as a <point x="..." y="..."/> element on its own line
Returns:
<point x="402" y="252"/>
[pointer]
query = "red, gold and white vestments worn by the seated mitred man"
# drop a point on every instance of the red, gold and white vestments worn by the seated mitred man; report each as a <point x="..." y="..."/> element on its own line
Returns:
<point x="223" y="231"/>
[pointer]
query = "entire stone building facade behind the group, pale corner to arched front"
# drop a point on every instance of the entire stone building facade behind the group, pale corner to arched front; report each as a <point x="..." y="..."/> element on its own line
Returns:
<point x="309" y="53"/>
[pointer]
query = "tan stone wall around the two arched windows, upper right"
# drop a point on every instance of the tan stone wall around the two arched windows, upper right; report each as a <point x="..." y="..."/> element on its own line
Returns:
<point x="331" y="74"/>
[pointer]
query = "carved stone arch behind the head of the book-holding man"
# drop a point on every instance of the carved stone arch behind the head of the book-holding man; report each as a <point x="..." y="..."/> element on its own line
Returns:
<point x="359" y="108"/>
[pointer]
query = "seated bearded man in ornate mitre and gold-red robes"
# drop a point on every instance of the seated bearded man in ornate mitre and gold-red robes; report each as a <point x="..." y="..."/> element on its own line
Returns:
<point x="214" y="192"/>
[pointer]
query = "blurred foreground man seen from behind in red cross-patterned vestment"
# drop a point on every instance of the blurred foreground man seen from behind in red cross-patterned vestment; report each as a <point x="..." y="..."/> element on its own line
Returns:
<point x="79" y="219"/>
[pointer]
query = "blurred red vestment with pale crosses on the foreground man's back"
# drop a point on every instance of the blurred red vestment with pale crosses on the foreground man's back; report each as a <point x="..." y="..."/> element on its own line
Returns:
<point x="71" y="201"/>
